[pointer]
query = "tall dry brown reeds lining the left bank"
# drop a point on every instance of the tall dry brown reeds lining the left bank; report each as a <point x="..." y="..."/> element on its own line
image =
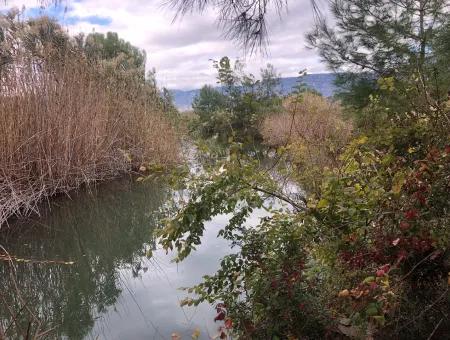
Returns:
<point x="66" y="121"/>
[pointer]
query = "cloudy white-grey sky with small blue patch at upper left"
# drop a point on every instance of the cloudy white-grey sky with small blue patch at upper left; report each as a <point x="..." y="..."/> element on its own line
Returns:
<point x="181" y="52"/>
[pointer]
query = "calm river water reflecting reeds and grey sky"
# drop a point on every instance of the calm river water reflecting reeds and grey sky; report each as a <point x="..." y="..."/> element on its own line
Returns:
<point x="112" y="290"/>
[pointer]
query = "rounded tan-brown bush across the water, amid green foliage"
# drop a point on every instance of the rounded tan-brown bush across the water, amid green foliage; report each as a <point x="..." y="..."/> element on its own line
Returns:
<point x="313" y="131"/>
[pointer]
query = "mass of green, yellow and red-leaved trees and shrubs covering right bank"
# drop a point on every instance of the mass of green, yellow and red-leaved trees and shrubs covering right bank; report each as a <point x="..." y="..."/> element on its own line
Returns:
<point x="364" y="251"/>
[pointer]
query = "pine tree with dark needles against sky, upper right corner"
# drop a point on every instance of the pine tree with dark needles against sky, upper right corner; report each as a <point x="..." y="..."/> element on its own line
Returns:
<point x="378" y="39"/>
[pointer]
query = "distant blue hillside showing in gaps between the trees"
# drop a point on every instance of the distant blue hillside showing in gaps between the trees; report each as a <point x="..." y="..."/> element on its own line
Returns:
<point x="321" y="82"/>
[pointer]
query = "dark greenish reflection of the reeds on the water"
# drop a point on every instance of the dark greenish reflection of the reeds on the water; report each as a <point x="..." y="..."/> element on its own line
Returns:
<point x="102" y="232"/>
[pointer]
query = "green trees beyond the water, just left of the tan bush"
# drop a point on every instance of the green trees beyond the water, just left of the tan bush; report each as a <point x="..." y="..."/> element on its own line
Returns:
<point x="237" y="107"/>
